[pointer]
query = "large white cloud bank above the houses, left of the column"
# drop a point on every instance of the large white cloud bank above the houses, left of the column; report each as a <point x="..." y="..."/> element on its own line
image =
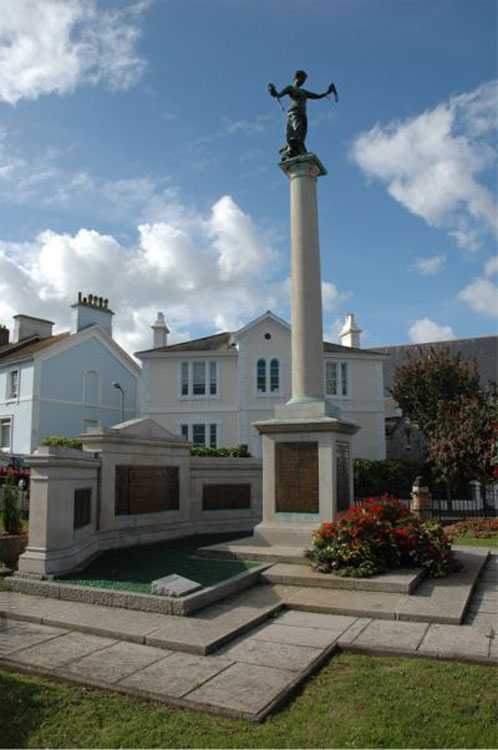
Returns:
<point x="206" y="272"/>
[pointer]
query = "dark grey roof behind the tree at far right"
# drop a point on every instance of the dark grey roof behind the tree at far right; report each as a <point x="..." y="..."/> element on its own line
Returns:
<point x="483" y="348"/>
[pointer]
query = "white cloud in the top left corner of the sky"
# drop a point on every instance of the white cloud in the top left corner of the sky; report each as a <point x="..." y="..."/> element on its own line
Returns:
<point x="52" y="46"/>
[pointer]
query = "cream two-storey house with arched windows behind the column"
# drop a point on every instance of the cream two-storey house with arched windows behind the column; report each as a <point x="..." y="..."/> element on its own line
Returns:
<point x="212" y="389"/>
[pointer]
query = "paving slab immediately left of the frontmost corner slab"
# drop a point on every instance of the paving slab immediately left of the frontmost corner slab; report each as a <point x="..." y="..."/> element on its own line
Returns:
<point x="175" y="675"/>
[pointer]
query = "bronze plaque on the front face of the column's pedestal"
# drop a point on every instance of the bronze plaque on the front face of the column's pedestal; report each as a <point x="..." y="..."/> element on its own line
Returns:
<point x="296" y="477"/>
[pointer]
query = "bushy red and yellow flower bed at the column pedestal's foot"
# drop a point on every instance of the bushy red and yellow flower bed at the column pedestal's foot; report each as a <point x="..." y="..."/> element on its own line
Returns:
<point x="379" y="535"/>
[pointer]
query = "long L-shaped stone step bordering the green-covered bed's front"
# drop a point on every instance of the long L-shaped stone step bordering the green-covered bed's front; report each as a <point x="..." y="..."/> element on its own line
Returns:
<point x="200" y="634"/>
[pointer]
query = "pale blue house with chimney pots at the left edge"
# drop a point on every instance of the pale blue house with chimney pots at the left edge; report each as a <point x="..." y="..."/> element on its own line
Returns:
<point x="61" y="384"/>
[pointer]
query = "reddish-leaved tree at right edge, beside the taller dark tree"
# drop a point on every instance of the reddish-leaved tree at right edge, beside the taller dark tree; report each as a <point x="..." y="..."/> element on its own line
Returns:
<point x="465" y="439"/>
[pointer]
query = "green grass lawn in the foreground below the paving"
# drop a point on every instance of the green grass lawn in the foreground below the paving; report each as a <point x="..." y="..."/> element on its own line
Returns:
<point x="355" y="701"/>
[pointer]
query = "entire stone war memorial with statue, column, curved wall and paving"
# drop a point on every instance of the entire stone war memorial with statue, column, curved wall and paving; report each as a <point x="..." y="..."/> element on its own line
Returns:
<point x="241" y="647"/>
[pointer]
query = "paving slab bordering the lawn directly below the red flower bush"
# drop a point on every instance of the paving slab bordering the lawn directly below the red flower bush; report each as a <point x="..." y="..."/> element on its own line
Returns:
<point x="386" y="636"/>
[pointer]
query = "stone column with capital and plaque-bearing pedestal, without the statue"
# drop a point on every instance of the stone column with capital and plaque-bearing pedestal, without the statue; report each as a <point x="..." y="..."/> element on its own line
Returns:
<point x="307" y="463"/>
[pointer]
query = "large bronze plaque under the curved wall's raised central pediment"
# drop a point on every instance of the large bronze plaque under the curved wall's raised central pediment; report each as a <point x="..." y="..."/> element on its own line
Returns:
<point x="146" y="489"/>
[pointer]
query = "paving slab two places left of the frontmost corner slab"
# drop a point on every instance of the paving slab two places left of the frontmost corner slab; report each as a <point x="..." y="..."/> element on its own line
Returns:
<point x="115" y="662"/>
